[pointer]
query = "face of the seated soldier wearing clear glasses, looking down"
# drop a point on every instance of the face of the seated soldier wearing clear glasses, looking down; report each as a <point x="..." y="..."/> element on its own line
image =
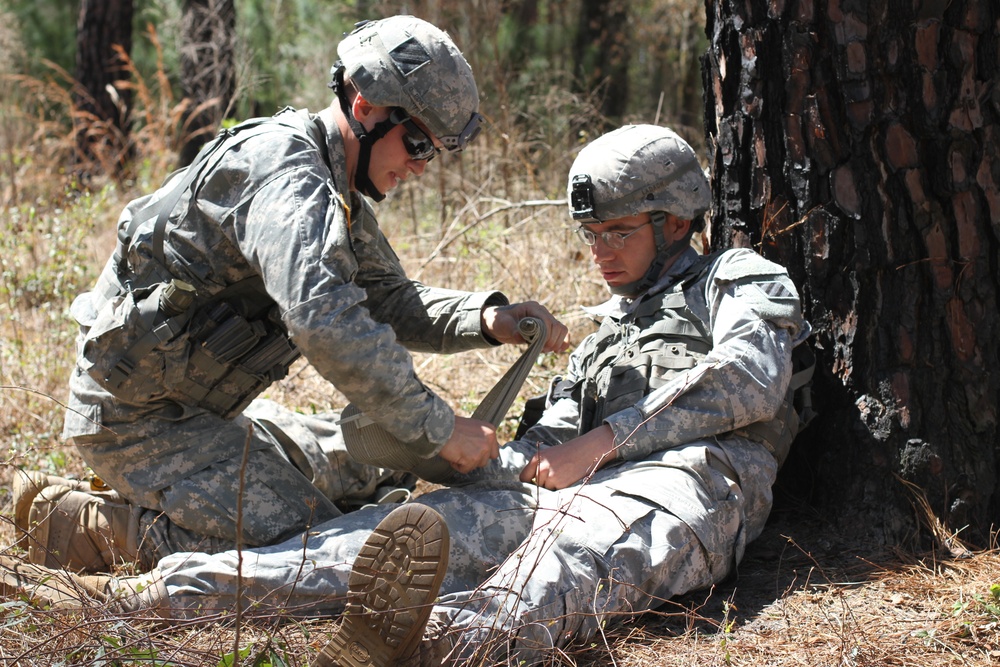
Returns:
<point x="629" y="263"/>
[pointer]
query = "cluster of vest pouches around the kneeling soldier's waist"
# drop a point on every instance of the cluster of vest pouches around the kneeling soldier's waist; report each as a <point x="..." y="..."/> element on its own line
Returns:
<point x="218" y="356"/>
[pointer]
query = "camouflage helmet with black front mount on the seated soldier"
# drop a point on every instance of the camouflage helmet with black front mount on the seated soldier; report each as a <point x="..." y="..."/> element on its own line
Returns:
<point x="637" y="169"/>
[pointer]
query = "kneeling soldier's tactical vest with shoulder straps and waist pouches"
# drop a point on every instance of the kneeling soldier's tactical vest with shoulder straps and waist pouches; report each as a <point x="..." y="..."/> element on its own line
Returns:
<point x="160" y="339"/>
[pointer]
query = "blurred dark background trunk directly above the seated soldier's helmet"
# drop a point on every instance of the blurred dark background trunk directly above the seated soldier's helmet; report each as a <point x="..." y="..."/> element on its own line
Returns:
<point x="601" y="53"/>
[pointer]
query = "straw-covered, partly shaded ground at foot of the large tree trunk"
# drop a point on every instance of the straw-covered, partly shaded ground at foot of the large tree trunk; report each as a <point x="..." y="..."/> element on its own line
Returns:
<point x="803" y="597"/>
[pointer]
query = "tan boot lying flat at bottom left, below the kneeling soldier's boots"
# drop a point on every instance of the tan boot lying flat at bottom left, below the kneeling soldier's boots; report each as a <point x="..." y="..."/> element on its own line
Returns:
<point x="64" y="591"/>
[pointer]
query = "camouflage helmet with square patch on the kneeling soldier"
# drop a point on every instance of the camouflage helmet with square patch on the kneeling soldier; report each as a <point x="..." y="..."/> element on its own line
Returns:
<point x="403" y="61"/>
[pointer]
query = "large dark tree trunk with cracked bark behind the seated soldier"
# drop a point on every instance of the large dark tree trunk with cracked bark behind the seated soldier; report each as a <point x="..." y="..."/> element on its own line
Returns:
<point x="856" y="142"/>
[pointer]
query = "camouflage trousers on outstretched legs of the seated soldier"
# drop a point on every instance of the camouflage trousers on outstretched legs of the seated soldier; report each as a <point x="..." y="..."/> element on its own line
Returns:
<point x="529" y="569"/>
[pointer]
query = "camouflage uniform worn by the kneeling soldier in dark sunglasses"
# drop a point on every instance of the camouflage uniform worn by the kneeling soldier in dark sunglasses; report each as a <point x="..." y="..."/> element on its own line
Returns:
<point x="314" y="274"/>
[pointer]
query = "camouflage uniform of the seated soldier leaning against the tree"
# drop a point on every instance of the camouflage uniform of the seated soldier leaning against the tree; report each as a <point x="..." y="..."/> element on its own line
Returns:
<point x="693" y="377"/>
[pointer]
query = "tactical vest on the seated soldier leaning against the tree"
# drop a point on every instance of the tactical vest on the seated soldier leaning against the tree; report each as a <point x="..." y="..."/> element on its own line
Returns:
<point x="628" y="359"/>
